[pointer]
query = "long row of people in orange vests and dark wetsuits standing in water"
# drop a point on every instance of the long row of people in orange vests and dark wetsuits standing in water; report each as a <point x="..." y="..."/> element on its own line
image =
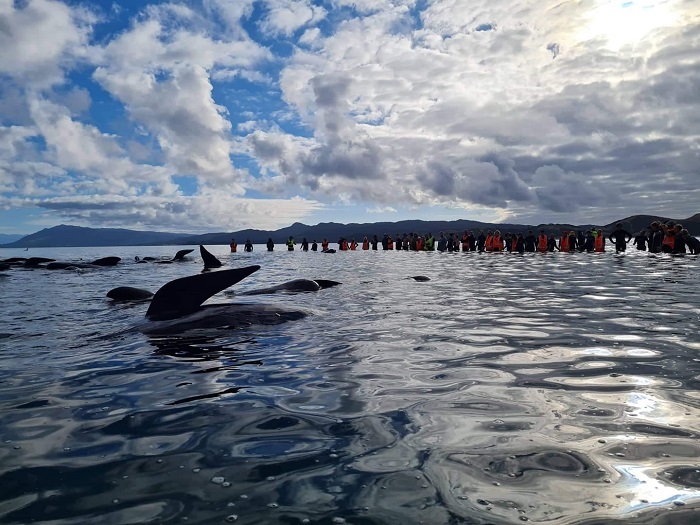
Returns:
<point x="660" y="237"/>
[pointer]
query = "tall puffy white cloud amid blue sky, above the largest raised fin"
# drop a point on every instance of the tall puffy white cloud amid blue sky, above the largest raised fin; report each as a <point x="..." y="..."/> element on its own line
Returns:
<point x="162" y="76"/>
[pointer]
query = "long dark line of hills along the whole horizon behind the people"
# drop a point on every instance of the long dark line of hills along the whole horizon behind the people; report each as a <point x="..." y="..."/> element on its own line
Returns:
<point x="78" y="236"/>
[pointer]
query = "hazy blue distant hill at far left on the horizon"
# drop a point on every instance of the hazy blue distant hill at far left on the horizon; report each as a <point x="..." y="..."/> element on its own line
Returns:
<point x="78" y="236"/>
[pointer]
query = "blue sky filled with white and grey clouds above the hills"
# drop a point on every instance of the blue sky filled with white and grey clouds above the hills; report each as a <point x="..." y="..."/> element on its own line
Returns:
<point x="219" y="115"/>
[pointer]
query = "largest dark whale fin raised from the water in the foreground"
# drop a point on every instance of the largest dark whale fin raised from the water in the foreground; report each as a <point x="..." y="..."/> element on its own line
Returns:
<point x="184" y="296"/>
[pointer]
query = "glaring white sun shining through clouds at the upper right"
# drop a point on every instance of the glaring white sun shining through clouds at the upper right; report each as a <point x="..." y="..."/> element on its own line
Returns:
<point x="627" y="23"/>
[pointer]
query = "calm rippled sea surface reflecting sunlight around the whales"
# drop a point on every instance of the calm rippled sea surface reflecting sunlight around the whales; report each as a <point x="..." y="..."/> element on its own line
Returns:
<point x="558" y="388"/>
